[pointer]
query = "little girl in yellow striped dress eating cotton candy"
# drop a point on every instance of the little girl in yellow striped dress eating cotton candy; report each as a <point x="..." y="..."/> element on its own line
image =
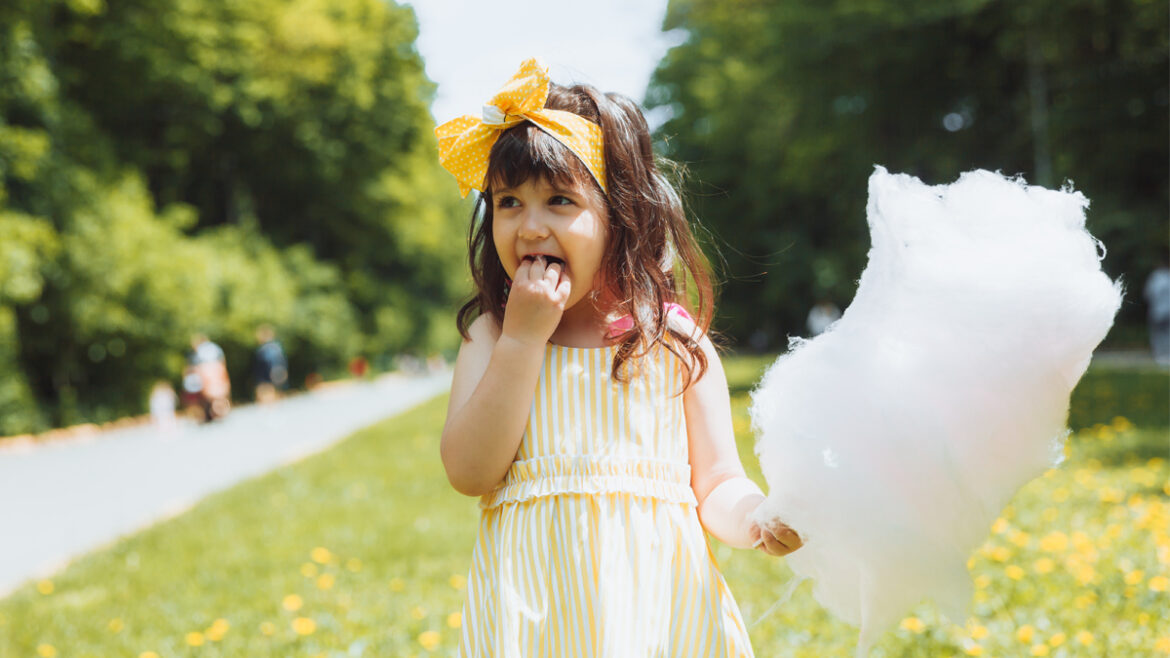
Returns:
<point x="589" y="409"/>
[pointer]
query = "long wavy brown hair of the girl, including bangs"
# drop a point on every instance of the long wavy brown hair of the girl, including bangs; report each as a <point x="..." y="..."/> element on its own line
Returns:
<point x="652" y="258"/>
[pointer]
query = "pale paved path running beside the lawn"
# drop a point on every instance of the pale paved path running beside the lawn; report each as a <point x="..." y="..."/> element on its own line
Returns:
<point x="64" y="499"/>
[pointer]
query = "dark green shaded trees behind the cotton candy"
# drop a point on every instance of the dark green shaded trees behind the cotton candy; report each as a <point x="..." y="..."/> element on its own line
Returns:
<point x="782" y="108"/>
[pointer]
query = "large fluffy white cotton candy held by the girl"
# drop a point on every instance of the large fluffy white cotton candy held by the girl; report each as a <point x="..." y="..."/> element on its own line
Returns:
<point x="893" y="441"/>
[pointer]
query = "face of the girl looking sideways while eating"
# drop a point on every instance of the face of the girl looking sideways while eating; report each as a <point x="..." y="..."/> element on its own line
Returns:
<point x="566" y="225"/>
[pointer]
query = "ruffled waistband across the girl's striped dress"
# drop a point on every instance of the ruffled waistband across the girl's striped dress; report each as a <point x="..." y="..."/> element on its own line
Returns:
<point x="594" y="475"/>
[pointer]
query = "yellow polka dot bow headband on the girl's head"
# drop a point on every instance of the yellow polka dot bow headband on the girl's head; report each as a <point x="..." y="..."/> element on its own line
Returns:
<point x="465" y="143"/>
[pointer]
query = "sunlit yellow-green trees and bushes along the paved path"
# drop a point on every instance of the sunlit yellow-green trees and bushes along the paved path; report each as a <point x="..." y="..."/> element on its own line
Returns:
<point x="170" y="168"/>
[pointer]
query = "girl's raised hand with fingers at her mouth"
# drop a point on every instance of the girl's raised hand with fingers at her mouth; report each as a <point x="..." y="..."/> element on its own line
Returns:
<point x="535" y="303"/>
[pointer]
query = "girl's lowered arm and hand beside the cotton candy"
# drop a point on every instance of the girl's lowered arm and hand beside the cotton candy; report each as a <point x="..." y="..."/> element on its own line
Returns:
<point x="726" y="496"/>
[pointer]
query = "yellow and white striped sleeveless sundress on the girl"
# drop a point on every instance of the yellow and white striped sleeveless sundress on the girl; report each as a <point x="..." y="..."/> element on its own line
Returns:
<point x="591" y="546"/>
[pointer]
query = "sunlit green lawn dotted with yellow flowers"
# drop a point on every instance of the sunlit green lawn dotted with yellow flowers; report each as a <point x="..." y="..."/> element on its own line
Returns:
<point x="363" y="551"/>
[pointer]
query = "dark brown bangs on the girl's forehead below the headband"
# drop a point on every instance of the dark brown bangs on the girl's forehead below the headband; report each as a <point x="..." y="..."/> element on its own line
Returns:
<point x="526" y="153"/>
